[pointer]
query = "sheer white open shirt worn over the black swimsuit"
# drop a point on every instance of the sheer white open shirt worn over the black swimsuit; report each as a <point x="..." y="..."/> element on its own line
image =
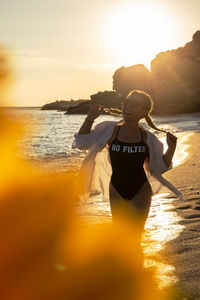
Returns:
<point x="97" y="167"/>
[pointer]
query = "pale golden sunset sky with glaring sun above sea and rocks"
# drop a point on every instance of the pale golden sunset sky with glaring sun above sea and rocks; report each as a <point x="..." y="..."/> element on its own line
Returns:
<point x="70" y="49"/>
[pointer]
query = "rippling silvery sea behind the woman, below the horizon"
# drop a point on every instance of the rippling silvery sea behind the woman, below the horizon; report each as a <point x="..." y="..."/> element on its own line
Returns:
<point x="49" y="134"/>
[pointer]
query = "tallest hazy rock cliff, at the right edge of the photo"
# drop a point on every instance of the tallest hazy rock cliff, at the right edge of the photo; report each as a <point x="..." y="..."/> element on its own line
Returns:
<point x="176" y="79"/>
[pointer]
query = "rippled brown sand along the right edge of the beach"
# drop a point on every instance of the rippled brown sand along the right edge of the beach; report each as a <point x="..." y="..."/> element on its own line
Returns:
<point x="183" y="252"/>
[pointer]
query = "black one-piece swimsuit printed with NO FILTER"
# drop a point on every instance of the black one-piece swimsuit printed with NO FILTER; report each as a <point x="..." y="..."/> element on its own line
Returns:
<point x="127" y="161"/>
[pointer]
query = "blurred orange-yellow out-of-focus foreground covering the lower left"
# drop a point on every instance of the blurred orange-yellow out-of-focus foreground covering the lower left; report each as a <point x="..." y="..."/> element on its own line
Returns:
<point x="46" y="251"/>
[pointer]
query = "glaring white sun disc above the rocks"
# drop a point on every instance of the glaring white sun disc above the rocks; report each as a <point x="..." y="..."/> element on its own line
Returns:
<point x="135" y="34"/>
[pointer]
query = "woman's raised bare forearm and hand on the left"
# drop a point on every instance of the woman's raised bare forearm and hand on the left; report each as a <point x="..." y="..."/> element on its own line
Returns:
<point x="94" y="112"/>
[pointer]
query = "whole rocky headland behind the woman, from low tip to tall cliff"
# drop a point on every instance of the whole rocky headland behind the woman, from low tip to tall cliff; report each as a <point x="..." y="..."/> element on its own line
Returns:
<point x="173" y="83"/>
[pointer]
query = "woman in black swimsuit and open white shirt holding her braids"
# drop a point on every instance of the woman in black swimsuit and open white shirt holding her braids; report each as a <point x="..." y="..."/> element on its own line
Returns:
<point x="132" y="152"/>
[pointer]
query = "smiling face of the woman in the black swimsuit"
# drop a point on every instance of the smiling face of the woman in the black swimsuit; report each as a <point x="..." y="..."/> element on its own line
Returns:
<point x="133" y="109"/>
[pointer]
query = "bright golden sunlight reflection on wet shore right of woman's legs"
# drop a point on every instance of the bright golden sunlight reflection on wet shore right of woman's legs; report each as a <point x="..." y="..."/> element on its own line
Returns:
<point x="161" y="227"/>
